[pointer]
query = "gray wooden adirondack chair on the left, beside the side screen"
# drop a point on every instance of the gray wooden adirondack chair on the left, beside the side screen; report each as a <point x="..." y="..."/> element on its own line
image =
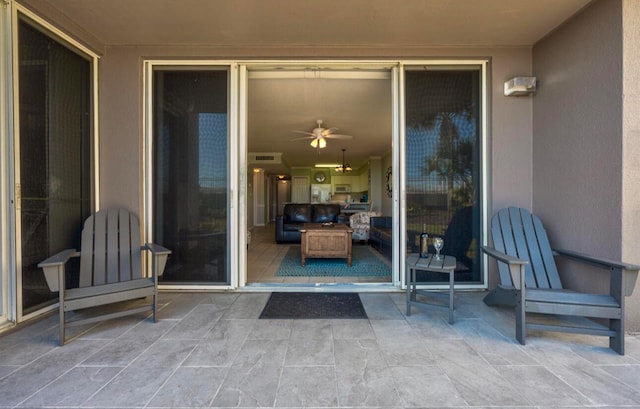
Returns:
<point x="110" y="269"/>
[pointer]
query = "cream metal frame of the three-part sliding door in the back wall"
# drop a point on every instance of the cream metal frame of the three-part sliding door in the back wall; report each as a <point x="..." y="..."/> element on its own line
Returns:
<point x="238" y="155"/>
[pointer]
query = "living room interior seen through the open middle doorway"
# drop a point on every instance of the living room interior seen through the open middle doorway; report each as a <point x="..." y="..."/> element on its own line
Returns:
<point x="350" y="109"/>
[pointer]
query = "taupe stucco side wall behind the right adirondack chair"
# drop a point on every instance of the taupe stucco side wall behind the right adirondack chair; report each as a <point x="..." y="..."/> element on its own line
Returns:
<point x="578" y="139"/>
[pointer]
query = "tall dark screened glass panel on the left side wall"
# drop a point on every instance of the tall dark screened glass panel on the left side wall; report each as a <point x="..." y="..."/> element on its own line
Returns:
<point x="55" y="159"/>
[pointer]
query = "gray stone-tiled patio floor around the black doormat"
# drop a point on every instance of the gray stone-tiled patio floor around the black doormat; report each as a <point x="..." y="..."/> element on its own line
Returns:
<point x="210" y="349"/>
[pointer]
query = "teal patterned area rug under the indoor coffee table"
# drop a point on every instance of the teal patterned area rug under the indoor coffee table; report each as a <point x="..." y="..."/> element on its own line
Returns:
<point x="364" y="263"/>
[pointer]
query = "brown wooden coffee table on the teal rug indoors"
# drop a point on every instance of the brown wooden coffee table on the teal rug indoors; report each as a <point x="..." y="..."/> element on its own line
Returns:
<point x="325" y="241"/>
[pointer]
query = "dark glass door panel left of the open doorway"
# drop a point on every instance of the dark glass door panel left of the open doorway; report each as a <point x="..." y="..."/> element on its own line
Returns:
<point x="190" y="178"/>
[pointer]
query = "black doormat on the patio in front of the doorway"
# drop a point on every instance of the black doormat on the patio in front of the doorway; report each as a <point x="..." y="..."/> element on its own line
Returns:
<point x="313" y="305"/>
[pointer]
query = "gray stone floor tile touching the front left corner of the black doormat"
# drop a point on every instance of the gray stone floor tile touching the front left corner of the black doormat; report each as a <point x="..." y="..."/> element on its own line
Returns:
<point x="223" y="343"/>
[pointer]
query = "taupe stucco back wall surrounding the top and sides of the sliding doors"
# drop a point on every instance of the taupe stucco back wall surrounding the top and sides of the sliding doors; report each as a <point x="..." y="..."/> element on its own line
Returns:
<point x="121" y="112"/>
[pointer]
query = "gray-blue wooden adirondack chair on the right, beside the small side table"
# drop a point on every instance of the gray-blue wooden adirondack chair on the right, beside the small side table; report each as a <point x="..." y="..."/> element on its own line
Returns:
<point x="523" y="253"/>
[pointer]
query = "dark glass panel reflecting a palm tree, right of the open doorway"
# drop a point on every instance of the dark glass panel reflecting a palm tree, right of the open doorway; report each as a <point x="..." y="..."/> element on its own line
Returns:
<point x="443" y="164"/>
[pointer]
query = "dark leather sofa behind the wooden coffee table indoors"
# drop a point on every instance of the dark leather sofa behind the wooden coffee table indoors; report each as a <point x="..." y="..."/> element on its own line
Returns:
<point x="295" y="215"/>
